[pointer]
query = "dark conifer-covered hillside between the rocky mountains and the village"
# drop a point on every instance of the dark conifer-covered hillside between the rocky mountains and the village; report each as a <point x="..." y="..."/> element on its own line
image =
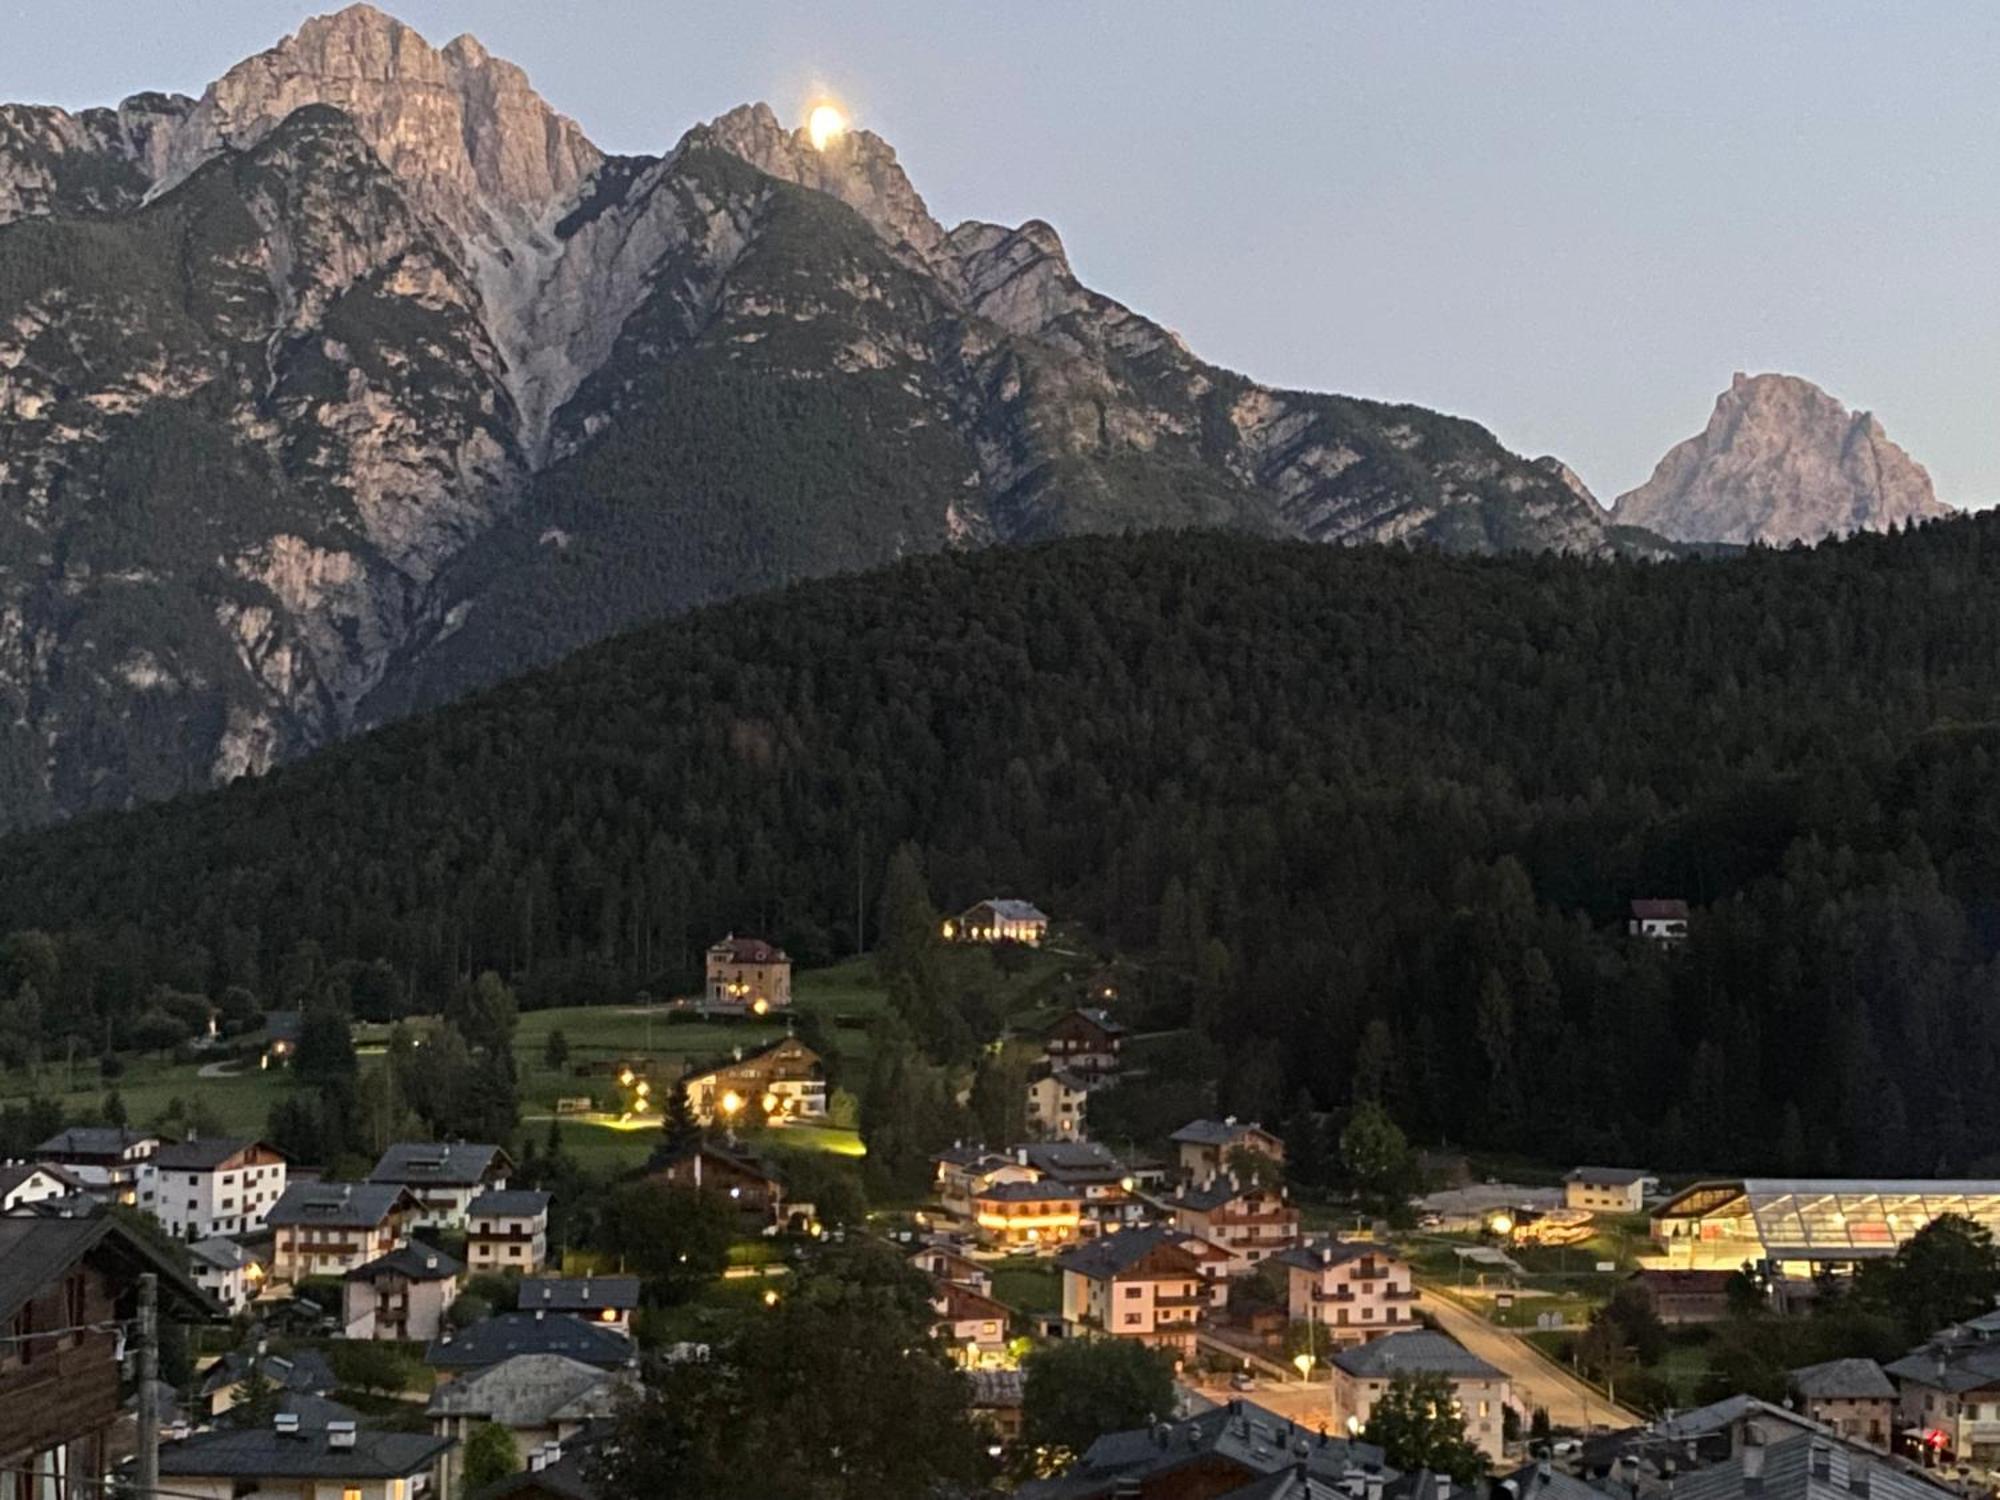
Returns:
<point x="1377" y="813"/>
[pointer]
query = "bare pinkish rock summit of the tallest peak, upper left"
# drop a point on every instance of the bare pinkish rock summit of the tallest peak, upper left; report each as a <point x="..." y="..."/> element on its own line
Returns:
<point x="465" y="131"/>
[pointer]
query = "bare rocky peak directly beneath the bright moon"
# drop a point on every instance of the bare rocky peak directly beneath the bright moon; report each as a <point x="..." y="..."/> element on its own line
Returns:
<point x="857" y="167"/>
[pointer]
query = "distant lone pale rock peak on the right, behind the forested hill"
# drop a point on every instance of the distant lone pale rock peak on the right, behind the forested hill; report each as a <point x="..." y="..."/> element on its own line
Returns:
<point x="1781" y="461"/>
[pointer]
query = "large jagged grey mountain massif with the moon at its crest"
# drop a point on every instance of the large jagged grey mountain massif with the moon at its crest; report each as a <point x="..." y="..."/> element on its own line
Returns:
<point x="541" y="395"/>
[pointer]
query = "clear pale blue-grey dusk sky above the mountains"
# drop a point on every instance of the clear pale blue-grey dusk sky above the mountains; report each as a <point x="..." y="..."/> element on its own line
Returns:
<point x="1569" y="221"/>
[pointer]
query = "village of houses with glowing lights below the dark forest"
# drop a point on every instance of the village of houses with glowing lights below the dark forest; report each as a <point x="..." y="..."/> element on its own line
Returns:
<point x="479" y="1317"/>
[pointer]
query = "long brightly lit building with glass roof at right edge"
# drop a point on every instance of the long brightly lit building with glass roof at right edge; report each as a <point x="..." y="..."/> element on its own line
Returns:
<point x="1807" y="1223"/>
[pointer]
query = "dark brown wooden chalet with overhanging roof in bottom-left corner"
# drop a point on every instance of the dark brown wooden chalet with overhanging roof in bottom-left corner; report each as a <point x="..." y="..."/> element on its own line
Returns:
<point x="69" y="1295"/>
